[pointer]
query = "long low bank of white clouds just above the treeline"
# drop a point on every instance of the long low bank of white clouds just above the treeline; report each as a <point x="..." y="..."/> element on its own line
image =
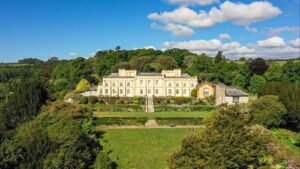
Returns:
<point x="272" y="48"/>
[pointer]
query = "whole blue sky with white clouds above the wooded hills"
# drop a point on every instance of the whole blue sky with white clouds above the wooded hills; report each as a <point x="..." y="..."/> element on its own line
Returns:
<point x="71" y="28"/>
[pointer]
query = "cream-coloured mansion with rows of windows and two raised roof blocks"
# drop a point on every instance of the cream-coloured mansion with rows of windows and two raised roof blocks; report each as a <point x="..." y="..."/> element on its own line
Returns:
<point x="130" y="83"/>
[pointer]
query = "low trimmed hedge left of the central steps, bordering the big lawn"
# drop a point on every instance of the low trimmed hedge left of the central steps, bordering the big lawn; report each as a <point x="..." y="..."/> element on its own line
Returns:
<point x="118" y="121"/>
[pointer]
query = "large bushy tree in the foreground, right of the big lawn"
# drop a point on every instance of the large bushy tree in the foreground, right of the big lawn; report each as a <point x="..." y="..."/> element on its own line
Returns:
<point x="224" y="143"/>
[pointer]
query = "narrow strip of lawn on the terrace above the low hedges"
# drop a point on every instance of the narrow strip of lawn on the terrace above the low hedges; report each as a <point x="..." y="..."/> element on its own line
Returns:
<point x="155" y="114"/>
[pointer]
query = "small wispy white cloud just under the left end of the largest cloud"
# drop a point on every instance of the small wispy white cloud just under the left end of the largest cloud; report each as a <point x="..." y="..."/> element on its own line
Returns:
<point x="176" y="29"/>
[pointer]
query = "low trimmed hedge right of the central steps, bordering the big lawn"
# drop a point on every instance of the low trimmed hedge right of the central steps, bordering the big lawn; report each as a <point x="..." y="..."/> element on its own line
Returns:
<point x="179" y="120"/>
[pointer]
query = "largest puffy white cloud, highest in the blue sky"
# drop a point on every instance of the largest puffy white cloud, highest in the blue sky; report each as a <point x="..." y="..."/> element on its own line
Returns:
<point x="237" y="13"/>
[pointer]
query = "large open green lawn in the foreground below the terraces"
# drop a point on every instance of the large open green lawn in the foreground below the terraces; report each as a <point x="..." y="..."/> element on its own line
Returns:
<point x="142" y="148"/>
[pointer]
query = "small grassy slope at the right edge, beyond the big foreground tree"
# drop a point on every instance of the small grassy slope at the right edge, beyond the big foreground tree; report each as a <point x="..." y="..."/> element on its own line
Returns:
<point x="287" y="138"/>
